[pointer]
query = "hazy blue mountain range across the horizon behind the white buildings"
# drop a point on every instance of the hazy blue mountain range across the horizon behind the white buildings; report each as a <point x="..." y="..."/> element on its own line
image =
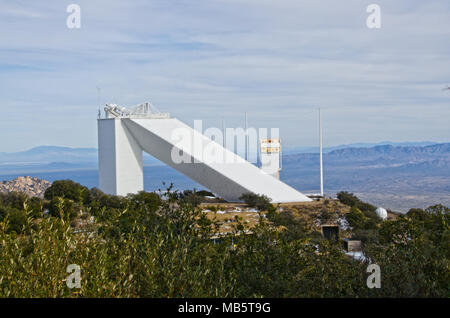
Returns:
<point x="391" y="175"/>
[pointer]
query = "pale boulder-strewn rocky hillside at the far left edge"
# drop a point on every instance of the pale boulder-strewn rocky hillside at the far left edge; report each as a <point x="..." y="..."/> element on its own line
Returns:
<point x="33" y="187"/>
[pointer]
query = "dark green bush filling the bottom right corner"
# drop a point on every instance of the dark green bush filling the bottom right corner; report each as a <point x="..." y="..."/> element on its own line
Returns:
<point x="414" y="255"/>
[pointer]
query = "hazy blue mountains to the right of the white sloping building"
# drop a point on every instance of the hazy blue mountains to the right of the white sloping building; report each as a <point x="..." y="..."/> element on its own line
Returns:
<point x="396" y="177"/>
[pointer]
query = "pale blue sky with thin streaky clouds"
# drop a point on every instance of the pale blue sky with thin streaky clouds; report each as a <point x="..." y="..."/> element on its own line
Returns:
<point x="213" y="59"/>
